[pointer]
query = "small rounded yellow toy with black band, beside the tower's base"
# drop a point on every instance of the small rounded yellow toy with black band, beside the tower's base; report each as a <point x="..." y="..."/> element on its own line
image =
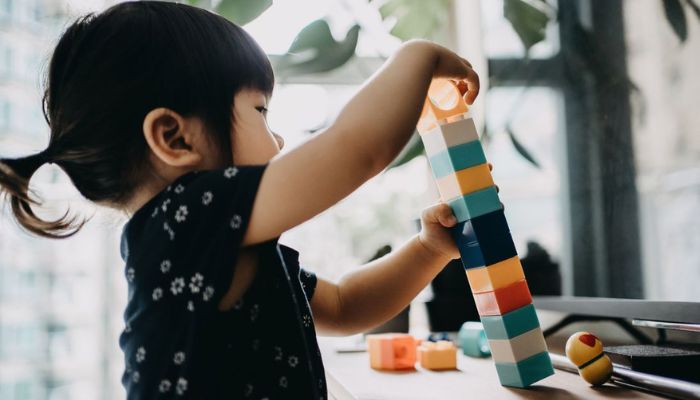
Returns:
<point x="585" y="350"/>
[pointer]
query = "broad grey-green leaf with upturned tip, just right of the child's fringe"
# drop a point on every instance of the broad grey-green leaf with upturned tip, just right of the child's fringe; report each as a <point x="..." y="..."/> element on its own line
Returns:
<point x="315" y="50"/>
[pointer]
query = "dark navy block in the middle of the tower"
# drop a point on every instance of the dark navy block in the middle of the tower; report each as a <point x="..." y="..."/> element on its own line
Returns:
<point x="484" y="240"/>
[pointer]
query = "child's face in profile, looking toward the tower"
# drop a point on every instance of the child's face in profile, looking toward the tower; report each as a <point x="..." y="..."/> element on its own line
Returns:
<point x="252" y="140"/>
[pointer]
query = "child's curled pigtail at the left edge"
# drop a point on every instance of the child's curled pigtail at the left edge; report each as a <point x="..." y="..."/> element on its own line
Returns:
<point x="14" y="182"/>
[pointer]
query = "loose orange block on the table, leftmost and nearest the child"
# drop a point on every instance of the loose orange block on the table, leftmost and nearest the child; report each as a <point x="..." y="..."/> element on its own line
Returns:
<point x="391" y="351"/>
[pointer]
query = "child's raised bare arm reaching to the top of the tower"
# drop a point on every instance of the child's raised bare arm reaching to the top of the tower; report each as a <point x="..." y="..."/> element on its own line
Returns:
<point x="367" y="135"/>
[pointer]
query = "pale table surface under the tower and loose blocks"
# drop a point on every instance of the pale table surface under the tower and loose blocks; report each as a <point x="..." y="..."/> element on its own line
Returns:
<point x="350" y="377"/>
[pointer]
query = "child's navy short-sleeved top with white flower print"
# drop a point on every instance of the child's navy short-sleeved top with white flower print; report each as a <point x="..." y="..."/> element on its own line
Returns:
<point x="180" y="251"/>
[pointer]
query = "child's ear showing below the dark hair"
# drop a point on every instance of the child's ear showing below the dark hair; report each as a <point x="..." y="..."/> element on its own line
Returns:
<point x="171" y="138"/>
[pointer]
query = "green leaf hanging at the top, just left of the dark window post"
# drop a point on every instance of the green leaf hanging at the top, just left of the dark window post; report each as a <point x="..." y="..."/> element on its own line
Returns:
<point x="528" y="21"/>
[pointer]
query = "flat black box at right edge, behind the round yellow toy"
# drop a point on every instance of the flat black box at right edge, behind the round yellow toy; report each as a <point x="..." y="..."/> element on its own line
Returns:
<point x="673" y="360"/>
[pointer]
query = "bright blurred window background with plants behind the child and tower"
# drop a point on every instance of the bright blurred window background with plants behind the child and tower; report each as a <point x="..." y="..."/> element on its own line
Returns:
<point x="588" y="112"/>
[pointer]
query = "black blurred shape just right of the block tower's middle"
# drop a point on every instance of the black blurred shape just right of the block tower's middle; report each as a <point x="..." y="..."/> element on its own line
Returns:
<point x="542" y="274"/>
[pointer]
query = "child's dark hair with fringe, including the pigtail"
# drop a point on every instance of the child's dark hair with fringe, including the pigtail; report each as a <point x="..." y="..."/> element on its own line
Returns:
<point x="107" y="72"/>
